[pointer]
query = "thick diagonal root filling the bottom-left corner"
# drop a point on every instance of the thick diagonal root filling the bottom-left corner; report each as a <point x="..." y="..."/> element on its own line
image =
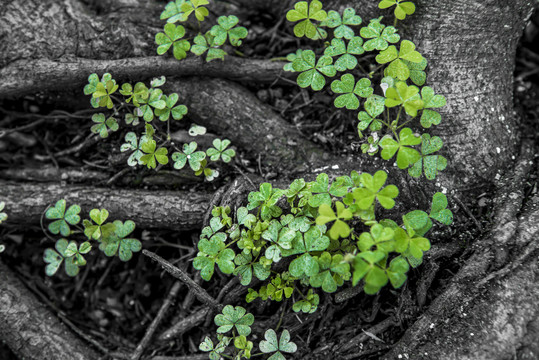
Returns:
<point x="30" y="329"/>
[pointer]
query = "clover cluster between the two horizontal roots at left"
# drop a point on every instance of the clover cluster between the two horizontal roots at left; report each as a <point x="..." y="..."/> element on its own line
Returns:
<point x="151" y="109"/>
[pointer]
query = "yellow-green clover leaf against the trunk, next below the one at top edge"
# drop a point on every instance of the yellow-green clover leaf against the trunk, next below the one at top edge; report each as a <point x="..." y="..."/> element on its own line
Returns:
<point x="397" y="67"/>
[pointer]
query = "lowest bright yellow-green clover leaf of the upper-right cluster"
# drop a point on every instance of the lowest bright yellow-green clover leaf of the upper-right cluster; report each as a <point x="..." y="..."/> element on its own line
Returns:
<point x="406" y="156"/>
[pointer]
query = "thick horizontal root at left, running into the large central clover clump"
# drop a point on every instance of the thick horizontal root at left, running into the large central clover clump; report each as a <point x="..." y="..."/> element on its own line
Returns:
<point x="175" y="210"/>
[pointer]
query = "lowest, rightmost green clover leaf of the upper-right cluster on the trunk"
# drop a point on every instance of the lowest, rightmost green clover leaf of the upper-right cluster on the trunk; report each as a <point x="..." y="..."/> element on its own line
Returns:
<point x="429" y="163"/>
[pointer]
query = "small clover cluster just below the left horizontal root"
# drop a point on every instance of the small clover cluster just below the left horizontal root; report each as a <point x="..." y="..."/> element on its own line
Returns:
<point x="113" y="237"/>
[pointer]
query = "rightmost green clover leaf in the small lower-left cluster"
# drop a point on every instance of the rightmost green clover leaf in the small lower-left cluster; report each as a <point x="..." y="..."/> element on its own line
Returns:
<point x="118" y="244"/>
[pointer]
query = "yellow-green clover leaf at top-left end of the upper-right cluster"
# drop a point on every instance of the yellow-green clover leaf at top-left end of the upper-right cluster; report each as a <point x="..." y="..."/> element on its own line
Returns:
<point x="307" y="13"/>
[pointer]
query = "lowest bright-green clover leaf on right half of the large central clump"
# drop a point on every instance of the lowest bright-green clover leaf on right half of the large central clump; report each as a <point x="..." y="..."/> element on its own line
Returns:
<point x="366" y="266"/>
